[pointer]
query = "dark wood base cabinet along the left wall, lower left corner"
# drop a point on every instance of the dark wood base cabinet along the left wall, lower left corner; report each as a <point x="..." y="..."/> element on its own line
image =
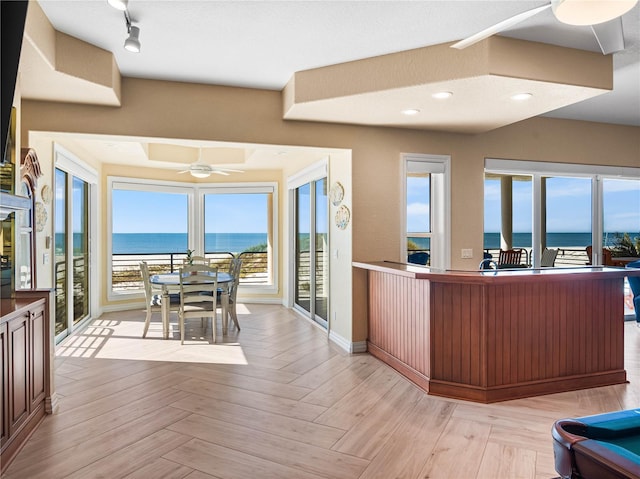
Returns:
<point x="24" y="331"/>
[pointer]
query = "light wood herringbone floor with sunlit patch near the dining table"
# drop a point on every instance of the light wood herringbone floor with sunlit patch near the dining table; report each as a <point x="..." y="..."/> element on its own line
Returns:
<point x="278" y="400"/>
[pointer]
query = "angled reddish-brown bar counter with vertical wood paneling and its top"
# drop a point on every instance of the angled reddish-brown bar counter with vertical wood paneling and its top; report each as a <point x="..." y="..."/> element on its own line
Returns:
<point x="494" y="335"/>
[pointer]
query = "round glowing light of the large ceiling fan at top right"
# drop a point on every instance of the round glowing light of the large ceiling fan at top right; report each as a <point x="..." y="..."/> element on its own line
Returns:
<point x="590" y="12"/>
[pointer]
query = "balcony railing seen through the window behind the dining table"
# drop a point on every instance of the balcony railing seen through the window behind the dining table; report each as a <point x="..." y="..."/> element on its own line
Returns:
<point x="125" y="268"/>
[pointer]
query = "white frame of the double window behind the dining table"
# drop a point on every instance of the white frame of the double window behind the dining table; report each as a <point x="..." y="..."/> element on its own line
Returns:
<point x="196" y="219"/>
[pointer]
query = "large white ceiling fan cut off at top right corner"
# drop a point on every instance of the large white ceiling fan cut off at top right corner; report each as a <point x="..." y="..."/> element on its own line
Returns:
<point x="602" y="15"/>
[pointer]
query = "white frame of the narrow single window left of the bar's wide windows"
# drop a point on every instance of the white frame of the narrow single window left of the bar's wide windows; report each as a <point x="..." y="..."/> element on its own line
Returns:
<point x="440" y="168"/>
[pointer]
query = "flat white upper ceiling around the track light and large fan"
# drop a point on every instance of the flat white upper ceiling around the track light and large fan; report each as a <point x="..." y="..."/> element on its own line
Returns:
<point x="261" y="44"/>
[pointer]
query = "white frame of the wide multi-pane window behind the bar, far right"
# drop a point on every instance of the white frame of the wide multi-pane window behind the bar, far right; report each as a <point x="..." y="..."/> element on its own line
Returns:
<point x="537" y="170"/>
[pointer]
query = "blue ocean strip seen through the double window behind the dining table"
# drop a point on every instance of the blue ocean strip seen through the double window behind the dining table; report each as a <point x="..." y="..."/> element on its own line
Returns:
<point x="132" y="243"/>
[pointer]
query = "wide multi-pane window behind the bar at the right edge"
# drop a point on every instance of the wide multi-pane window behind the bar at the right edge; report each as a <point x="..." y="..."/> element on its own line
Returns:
<point x="572" y="207"/>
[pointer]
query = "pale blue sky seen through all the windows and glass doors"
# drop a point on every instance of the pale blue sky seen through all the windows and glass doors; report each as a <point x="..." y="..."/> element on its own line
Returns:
<point x="568" y="201"/>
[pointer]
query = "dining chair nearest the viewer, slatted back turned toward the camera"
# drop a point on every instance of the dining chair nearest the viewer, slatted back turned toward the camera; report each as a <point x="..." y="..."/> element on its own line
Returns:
<point x="198" y="298"/>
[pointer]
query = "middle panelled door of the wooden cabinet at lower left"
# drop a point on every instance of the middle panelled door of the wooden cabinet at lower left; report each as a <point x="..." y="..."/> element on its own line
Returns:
<point x="18" y="372"/>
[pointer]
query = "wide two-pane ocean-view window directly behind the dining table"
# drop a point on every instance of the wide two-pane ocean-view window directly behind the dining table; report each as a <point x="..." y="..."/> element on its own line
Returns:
<point x="158" y="221"/>
